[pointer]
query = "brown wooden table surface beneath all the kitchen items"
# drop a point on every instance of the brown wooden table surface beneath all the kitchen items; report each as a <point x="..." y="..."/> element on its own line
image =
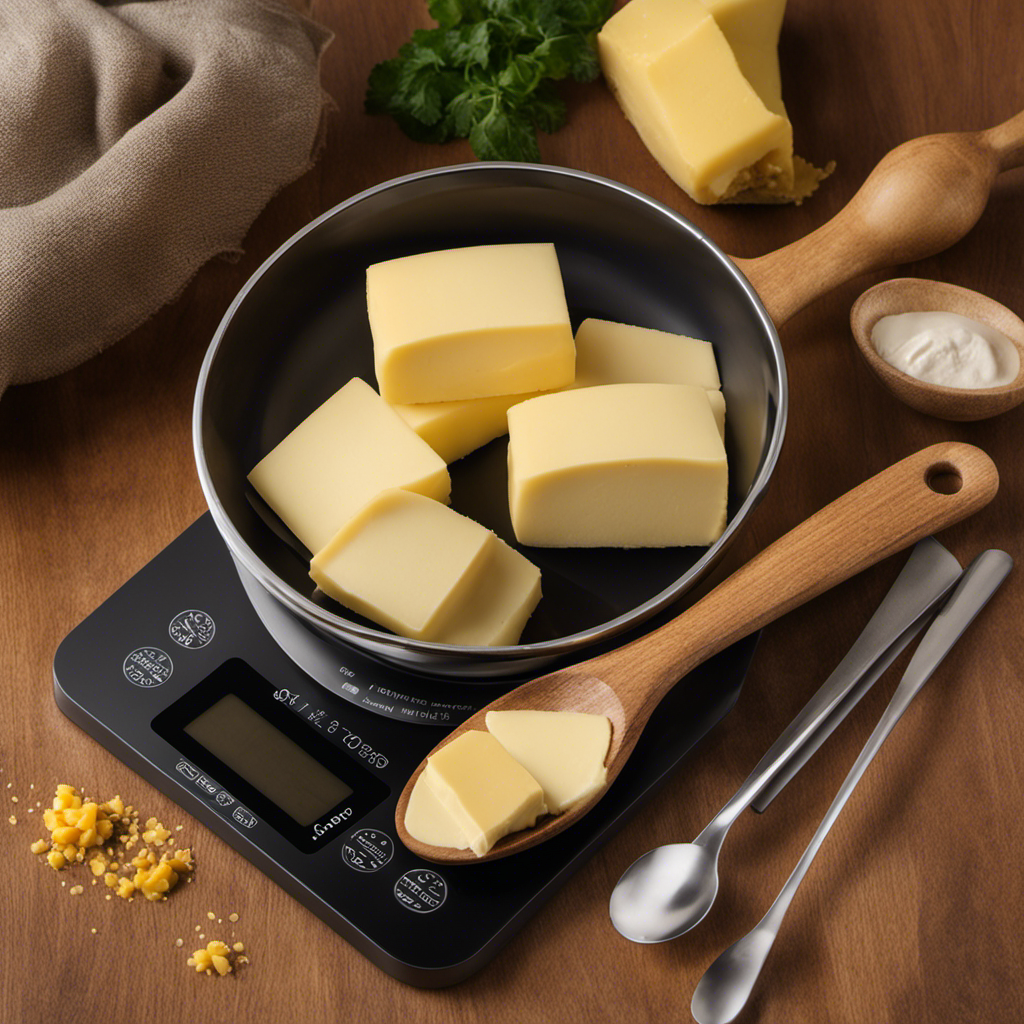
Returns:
<point x="913" y="910"/>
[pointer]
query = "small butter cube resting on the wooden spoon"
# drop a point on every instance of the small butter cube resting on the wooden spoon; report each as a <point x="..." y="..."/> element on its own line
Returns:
<point x="484" y="788"/>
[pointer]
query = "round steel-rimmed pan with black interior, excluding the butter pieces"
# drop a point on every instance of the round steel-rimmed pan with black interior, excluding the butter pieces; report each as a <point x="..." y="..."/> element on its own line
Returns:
<point x="298" y="331"/>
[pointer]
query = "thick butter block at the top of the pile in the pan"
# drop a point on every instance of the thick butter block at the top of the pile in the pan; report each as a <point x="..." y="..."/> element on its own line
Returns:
<point x="470" y="323"/>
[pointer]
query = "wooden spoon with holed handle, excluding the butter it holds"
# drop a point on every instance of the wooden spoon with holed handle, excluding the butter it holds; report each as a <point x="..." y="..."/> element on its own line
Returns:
<point x="921" y="495"/>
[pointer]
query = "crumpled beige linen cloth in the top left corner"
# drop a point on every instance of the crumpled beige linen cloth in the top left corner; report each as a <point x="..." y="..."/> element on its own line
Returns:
<point x="138" y="141"/>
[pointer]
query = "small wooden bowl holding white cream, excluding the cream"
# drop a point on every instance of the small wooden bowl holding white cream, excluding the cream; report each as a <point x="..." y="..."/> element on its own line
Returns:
<point x="905" y="295"/>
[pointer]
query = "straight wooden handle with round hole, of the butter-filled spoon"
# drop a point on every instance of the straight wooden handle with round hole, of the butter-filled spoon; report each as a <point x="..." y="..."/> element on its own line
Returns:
<point x="881" y="517"/>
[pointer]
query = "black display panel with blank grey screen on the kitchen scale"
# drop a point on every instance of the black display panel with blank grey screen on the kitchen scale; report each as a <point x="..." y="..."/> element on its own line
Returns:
<point x="269" y="758"/>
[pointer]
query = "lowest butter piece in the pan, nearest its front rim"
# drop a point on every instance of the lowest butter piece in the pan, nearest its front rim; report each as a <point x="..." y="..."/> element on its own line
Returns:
<point x="428" y="573"/>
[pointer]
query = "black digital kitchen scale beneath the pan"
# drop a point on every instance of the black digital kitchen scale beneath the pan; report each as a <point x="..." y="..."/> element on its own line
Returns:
<point x="178" y="675"/>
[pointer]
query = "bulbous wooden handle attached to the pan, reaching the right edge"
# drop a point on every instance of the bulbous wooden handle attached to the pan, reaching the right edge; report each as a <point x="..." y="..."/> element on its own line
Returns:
<point x="923" y="197"/>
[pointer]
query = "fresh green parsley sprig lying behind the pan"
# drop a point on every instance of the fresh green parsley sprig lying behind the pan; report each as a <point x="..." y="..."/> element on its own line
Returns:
<point x="487" y="73"/>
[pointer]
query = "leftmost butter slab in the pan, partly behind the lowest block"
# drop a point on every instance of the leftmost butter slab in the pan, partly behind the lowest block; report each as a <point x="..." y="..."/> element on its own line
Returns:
<point x="338" y="458"/>
